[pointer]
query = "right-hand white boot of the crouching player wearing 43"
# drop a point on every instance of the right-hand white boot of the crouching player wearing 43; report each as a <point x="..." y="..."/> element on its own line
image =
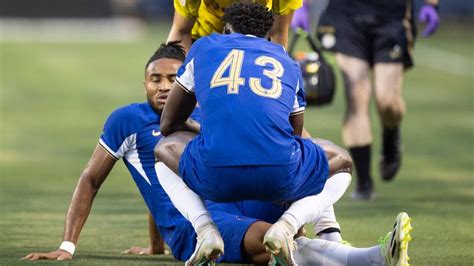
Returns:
<point x="279" y="242"/>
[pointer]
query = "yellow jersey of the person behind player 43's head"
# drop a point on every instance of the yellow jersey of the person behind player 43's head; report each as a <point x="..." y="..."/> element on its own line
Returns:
<point x="208" y="13"/>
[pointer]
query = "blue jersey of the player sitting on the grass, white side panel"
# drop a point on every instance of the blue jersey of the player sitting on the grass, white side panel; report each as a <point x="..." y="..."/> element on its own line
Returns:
<point x="131" y="133"/>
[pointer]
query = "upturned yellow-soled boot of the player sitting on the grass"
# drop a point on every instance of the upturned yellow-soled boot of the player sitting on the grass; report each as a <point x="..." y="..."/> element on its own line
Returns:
<point x="394" y="245"/>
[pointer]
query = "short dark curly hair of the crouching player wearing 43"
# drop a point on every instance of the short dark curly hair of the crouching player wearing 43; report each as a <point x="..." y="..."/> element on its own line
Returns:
<point x="249" y="18"/>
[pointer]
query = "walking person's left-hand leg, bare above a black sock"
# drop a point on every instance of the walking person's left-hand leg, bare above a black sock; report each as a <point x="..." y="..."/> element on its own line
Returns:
<point x="356" y="129"/>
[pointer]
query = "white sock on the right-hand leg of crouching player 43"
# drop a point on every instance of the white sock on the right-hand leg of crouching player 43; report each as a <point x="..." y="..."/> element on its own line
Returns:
<point x="309" y="209"/>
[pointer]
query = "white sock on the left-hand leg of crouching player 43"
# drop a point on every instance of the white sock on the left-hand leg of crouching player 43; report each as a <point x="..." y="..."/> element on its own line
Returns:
<point x="188" y="203"/>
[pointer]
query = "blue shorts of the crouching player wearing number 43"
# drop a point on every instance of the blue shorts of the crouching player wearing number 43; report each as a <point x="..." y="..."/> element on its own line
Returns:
<point x="285" y="183"/>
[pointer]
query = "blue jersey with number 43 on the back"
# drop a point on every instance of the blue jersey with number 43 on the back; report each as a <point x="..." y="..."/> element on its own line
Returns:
<point x="247" y="88"/>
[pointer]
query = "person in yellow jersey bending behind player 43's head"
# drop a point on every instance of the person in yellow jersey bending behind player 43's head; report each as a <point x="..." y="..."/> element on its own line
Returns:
<point x="194" y="19"/>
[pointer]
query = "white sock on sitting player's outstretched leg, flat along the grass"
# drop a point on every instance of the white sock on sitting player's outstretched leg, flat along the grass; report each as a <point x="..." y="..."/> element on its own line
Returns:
<point x="322" y="252"/>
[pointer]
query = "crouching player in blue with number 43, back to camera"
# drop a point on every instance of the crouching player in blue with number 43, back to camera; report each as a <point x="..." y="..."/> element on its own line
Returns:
<point x="251" y="103"/>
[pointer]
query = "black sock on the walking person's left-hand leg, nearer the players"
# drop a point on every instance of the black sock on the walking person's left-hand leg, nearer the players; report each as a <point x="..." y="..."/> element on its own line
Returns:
<point x="361" y="157"/>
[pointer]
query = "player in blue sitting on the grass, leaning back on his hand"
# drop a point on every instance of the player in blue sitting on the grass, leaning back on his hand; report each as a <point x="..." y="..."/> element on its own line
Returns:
<point x="131" y="133"/>
